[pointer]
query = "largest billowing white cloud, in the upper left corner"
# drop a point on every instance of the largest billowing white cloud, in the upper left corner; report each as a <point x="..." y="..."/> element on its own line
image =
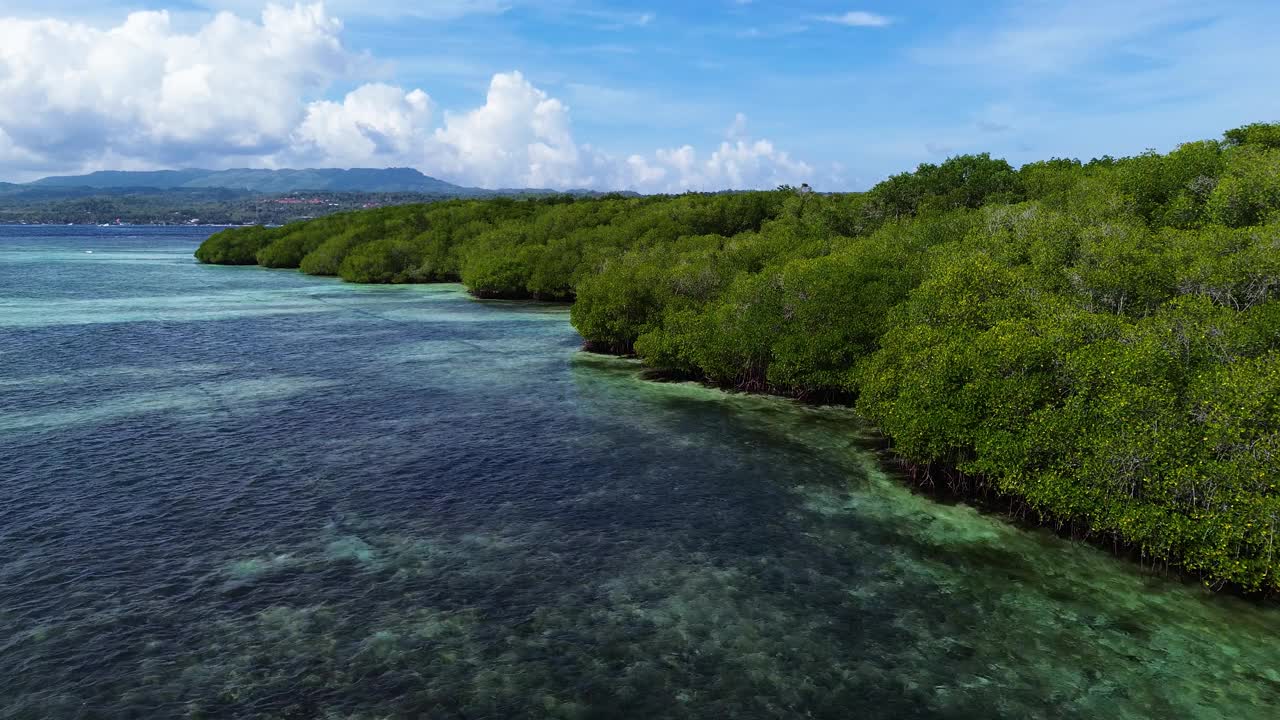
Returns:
<point x="70" y="92"/>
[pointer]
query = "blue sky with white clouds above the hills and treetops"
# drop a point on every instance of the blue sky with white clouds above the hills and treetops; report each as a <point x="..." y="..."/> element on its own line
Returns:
<point x="655" y="97"/>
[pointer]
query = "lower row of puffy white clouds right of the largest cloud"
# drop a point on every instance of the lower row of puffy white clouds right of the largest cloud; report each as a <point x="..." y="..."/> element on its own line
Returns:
<point x="523" y="138"/>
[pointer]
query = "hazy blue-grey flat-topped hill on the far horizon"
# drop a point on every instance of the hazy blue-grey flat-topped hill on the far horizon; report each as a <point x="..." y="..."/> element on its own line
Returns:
<point x="359" y="180"/>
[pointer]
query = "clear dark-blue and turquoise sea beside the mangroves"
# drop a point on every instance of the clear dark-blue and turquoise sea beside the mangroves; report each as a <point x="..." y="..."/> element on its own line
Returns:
<point x="243" y="493"/>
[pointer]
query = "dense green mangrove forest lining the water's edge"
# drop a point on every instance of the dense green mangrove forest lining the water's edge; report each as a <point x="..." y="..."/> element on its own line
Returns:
<point x="1096" y="343"/>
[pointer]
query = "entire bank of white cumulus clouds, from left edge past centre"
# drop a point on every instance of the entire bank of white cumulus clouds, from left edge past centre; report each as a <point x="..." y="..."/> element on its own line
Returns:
<point x="254" y="93"/>
